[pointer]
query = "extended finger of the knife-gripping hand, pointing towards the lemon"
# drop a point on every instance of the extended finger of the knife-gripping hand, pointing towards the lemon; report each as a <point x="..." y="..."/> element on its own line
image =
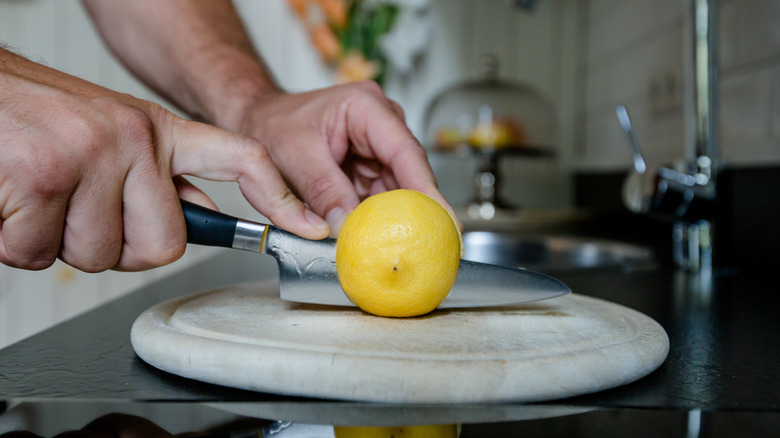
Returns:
<point x="207" y="152"/>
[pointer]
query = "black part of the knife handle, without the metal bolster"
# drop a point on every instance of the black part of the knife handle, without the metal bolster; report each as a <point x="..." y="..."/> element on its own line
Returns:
<point x="208" y="227"/>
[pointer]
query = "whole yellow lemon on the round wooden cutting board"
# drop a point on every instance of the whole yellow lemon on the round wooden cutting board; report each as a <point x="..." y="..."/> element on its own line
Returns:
<point x="398" y="253"/>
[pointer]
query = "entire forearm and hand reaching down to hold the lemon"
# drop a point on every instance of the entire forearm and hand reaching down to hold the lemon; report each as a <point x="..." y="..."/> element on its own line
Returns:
<point x="334" y="146"/>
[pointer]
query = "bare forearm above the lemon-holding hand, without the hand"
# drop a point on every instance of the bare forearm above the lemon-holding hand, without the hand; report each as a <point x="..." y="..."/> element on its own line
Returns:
<point x="195" y="53"/>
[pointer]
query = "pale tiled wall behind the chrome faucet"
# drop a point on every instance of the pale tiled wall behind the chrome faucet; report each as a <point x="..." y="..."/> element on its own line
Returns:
<point x="635" y="49"/>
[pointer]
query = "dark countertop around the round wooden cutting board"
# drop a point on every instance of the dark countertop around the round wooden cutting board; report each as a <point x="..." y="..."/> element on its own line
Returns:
<point x="724" y="357"/>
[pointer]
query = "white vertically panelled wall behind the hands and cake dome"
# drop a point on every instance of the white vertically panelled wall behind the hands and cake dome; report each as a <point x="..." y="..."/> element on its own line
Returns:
<point x="539" y="48"/>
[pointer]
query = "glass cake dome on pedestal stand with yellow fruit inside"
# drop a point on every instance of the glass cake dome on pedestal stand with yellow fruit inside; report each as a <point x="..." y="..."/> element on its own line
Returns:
<point x="489" y="119"/>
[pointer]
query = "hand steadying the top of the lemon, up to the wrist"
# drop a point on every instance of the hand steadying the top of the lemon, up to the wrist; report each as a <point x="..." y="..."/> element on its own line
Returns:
<point x="339" y="145"/>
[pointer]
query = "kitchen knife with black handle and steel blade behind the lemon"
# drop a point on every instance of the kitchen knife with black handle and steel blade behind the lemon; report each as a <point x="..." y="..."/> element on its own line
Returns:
<point x="307" y="268"/>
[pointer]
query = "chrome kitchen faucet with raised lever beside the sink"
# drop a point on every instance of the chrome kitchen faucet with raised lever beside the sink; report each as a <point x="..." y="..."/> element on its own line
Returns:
<point x="686" y="194"/>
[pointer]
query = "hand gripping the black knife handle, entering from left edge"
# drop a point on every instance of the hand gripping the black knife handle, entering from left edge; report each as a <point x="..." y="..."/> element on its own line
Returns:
<point x="93" y="176"/>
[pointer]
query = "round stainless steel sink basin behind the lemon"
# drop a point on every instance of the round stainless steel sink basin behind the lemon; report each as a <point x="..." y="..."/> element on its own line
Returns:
<point x="548" y="253"/>
